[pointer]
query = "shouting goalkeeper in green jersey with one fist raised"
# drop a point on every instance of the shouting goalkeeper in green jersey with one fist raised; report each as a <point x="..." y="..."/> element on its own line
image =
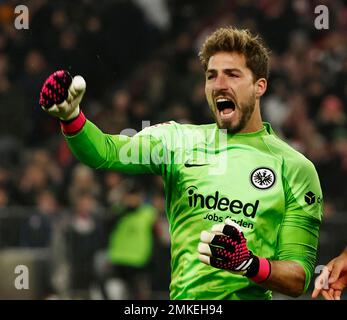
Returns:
<point x="244" y="207"/>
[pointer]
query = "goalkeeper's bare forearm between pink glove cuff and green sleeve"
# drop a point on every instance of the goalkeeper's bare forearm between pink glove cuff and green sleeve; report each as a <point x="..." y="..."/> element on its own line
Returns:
<point x="287" y="277"/>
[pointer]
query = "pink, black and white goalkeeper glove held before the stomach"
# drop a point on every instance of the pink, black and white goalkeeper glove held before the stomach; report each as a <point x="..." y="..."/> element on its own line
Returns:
<point x="226" y="248"/>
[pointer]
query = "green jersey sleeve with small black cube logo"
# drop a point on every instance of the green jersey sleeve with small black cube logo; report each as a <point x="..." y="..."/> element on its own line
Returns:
<point x="299" y="233"/>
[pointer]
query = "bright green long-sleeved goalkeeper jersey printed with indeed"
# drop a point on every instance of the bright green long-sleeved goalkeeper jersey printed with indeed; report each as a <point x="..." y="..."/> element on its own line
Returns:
<point x="256" y="179"/>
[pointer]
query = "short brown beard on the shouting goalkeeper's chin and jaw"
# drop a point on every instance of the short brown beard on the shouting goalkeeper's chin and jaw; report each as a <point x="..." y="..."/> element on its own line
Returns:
<point x="245" y="110"/>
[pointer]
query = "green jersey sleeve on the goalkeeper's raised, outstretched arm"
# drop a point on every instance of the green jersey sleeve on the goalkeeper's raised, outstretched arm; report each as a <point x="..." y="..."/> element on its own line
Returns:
<point x="142" y="153"/>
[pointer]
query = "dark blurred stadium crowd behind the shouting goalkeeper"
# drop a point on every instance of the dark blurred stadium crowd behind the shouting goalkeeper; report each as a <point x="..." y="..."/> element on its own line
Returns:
<point x="139" y="59"/>
